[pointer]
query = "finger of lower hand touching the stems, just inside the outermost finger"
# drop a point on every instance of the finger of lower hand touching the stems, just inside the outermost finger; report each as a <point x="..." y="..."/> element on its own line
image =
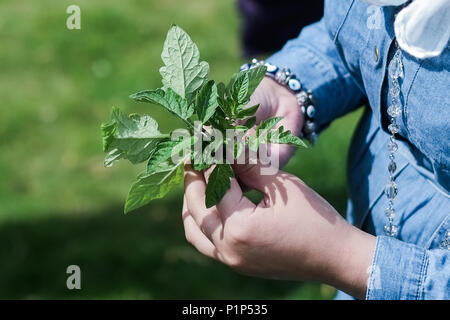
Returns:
<point x="195" y="190"/>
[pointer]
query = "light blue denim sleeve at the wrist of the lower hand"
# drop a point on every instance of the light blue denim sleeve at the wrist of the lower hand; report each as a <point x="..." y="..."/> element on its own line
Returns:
<point x="402" y="270"/>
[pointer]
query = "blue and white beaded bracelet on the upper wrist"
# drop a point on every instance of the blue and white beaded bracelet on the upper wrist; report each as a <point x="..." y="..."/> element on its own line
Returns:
<point x="304" y="97"/>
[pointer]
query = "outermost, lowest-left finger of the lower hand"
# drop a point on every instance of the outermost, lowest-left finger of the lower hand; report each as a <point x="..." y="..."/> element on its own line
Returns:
<point x="195" y="236"/>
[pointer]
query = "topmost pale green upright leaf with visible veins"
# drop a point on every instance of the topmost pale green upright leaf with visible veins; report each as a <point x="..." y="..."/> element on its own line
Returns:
<point x="182" y="72"/>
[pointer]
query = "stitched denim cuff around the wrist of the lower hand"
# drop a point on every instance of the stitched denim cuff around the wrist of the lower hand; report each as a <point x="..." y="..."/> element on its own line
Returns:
<point x="398" y="271"/>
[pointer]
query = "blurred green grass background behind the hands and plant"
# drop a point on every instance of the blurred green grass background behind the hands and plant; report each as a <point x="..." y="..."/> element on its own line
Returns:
<point x="59" y="205"/>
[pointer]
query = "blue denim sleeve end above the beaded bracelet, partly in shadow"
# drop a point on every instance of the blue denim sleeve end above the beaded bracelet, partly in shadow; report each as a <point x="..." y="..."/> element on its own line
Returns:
<point x="314" y="59"/>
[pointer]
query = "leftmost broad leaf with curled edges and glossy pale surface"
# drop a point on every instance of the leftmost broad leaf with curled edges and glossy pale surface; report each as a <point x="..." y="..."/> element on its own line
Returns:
<point x="130" y="137"/>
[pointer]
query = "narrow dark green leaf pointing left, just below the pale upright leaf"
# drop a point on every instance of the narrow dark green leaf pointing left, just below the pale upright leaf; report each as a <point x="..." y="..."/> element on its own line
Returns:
<point x="168" y="99"/>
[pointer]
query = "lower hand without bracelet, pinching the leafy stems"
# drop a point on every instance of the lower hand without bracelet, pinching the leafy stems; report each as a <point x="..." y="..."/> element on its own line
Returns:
<point x="292" y="234"/>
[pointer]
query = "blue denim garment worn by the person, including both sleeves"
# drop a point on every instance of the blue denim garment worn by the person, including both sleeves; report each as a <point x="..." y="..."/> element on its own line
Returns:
<point x="343" y="59"/>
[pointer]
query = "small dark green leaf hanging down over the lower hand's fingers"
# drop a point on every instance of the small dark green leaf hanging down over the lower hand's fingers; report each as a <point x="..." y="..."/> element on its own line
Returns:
<point x="218" y="184"/>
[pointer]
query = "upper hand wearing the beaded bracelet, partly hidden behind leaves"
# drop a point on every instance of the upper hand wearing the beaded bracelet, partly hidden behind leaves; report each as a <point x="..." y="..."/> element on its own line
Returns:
<point x="276" y="100"/>
